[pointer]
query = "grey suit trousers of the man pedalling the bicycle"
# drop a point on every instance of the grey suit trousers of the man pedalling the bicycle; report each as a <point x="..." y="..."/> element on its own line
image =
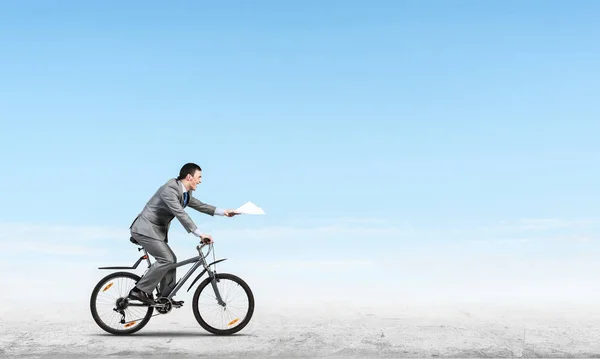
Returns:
<point x="162" y="270"/>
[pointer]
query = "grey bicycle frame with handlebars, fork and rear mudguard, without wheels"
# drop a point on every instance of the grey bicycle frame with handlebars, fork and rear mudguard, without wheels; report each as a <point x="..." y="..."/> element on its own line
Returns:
<point x="198" y="261"/>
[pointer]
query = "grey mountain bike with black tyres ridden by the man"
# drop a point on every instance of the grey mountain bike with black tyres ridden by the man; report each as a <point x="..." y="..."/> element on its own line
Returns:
<point x="111" y="285"/>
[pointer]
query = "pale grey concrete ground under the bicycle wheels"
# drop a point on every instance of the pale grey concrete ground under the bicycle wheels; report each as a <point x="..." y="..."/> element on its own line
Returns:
<point x="328" y="331"/>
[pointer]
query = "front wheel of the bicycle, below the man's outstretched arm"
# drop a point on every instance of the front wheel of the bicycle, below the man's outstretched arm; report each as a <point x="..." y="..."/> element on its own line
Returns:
<point x="228" y="319"/>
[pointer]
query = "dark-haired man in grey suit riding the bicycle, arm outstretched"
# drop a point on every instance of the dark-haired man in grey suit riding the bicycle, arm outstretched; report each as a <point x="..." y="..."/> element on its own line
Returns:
<point x="151" y="226"/>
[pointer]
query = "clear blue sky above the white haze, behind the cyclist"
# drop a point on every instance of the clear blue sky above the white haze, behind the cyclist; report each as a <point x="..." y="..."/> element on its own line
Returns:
<point x="386" y="132"/>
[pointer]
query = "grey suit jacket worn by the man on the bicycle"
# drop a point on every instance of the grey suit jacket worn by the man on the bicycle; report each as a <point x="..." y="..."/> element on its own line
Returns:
<point x="167" y="203"/>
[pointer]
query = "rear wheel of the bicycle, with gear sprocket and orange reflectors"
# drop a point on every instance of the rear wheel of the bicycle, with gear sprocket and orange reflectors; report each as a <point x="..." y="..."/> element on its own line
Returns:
<point x="109" y="304"/>
